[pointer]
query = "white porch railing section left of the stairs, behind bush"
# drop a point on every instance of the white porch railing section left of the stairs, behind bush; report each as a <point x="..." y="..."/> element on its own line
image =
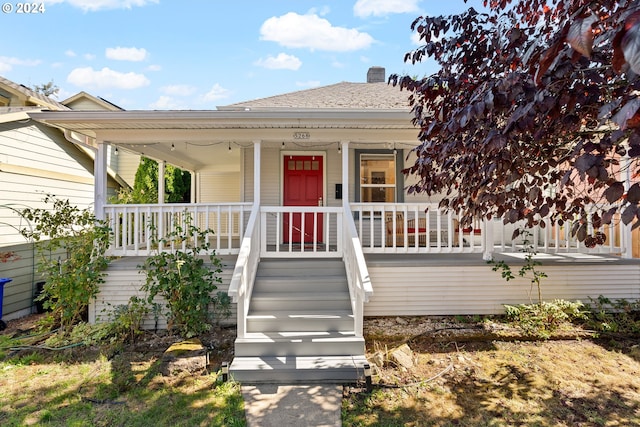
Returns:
<point x="136" y="227"/>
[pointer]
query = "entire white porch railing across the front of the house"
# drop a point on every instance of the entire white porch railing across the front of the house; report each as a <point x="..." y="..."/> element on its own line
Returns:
<point x="289" y="231"/>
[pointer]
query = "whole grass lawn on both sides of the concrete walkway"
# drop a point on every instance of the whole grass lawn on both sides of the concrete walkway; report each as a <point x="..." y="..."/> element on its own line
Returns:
<point x="455" y="381"/>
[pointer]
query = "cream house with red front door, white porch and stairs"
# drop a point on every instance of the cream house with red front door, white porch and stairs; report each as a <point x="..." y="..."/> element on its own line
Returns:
<point x="306" y="197"/>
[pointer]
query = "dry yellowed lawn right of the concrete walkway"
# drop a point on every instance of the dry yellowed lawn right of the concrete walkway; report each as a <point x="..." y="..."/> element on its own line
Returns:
<point x="524" y="391"/>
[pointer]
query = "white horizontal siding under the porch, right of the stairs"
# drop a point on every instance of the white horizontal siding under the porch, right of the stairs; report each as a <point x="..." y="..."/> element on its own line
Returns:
<point x="448" y="290"/>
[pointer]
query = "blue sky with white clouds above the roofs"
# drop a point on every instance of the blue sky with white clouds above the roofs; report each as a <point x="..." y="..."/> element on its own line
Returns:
<point x="198" y="54"/>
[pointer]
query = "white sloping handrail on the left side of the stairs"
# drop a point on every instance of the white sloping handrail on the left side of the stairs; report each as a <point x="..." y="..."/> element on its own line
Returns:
<point x="244" y="272"/>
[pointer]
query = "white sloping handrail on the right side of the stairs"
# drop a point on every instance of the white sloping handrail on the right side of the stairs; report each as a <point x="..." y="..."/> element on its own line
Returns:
<point x="360" y="288"/>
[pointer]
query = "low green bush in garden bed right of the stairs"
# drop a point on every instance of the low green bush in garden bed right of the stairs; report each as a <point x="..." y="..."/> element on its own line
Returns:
<point x="543" y="319"/>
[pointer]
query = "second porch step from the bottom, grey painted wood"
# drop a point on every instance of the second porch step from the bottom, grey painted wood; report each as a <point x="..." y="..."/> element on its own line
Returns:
<point x="299" y="344"/>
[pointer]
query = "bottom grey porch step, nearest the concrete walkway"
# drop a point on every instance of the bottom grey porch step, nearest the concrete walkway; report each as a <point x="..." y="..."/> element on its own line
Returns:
<point x="297" y="369"/>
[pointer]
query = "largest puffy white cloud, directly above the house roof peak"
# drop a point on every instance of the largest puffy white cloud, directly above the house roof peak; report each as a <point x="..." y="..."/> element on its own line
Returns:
<point x="312" y="32"/>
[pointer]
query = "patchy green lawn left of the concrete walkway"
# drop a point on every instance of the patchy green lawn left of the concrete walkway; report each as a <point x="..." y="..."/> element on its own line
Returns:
<point x="89" y="388"/>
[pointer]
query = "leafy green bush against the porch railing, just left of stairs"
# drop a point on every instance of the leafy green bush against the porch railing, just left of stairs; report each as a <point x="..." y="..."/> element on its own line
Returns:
<point x="179" y="275"/>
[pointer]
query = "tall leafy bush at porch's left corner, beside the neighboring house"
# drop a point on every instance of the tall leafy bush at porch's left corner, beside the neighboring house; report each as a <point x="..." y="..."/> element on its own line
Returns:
<point x="72" y="280"/>
